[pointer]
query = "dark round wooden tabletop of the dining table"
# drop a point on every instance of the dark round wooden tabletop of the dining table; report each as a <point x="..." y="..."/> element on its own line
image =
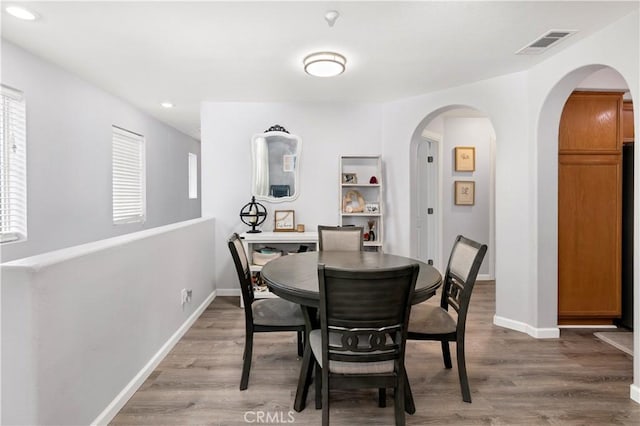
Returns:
<point x="295" y="277"/>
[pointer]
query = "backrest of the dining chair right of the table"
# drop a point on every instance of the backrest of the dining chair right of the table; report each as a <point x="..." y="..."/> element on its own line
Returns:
<point x="460" y="276"/>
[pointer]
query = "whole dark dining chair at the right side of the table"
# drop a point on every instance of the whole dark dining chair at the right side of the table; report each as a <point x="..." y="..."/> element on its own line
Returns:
<point x="429" y="322"/>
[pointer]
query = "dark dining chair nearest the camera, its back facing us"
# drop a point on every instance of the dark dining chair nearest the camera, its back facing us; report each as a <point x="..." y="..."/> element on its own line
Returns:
<point x="363" y="329"/>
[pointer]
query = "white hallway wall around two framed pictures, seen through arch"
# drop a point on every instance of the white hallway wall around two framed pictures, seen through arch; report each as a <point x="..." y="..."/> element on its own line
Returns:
<point x="471" y="221"/>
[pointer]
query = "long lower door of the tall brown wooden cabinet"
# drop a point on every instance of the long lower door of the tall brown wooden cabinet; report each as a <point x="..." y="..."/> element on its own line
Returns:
<point x="589" y="232"/>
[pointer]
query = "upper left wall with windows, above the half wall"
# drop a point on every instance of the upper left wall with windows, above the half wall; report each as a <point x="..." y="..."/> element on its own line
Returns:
<point x="69" y="158"/>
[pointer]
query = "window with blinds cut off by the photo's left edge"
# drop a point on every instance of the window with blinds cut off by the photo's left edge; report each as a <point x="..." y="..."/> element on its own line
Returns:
<point x="13" y="166"/>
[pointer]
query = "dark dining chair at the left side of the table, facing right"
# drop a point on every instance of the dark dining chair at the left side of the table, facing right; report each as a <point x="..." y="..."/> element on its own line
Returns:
<point x="263" y="315"/>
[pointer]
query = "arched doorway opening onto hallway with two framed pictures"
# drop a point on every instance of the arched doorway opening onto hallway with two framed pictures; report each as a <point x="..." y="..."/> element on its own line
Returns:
<point x="435" y="217"/>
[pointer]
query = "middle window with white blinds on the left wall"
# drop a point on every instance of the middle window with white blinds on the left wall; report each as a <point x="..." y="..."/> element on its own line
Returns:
<point x="128" y="174"/>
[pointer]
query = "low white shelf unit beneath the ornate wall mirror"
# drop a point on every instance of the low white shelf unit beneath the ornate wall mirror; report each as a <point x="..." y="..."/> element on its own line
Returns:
<point x="288" y="242"/>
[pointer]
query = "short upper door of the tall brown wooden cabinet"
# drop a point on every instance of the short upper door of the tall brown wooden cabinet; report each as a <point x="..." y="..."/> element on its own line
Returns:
<point x="591" y="123"/>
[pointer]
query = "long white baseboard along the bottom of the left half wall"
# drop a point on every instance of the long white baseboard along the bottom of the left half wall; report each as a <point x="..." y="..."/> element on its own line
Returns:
<point x="119" y="401"/>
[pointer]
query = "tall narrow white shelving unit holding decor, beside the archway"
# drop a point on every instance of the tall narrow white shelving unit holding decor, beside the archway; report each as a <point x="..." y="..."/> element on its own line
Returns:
<point x="363" y="168"/>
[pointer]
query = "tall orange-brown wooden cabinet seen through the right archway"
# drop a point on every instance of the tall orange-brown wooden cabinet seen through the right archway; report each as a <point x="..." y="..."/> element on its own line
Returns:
<point x="590" y="209"/>
